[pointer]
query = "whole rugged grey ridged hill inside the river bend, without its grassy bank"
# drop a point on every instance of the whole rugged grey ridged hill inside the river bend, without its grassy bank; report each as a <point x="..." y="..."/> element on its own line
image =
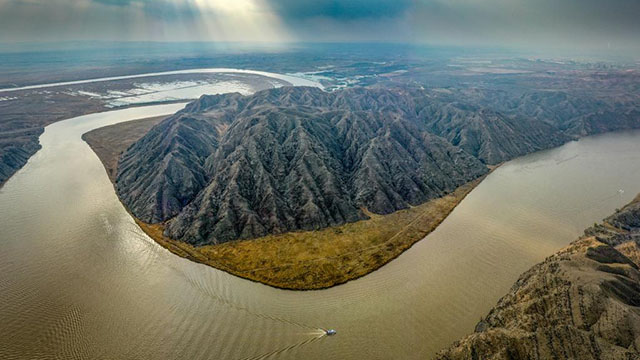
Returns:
<point x="237" y="167"/>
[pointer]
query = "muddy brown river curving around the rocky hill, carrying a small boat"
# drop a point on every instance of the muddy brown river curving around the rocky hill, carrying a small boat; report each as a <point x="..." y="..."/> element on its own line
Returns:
<point x="79" y="279"/>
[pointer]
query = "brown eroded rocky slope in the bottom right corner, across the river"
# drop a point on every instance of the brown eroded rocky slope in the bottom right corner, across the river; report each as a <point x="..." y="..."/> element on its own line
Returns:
<point x="581" y="303"/>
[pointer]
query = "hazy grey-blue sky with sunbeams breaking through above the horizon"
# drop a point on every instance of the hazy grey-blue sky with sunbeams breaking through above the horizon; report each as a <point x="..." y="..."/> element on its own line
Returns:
<point x="562" y="24"/>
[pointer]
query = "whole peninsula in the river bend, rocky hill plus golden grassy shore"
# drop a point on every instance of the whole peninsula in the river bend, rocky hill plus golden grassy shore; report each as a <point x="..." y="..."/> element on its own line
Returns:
<point x="299" y="188"/>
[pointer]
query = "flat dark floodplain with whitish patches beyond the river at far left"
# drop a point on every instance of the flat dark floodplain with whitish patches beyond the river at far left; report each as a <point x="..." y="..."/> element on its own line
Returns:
<point x="29" y="109"/>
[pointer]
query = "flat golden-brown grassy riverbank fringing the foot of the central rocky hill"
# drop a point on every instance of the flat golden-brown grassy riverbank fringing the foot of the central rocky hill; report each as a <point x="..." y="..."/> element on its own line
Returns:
<point x="304" y="260"/>
